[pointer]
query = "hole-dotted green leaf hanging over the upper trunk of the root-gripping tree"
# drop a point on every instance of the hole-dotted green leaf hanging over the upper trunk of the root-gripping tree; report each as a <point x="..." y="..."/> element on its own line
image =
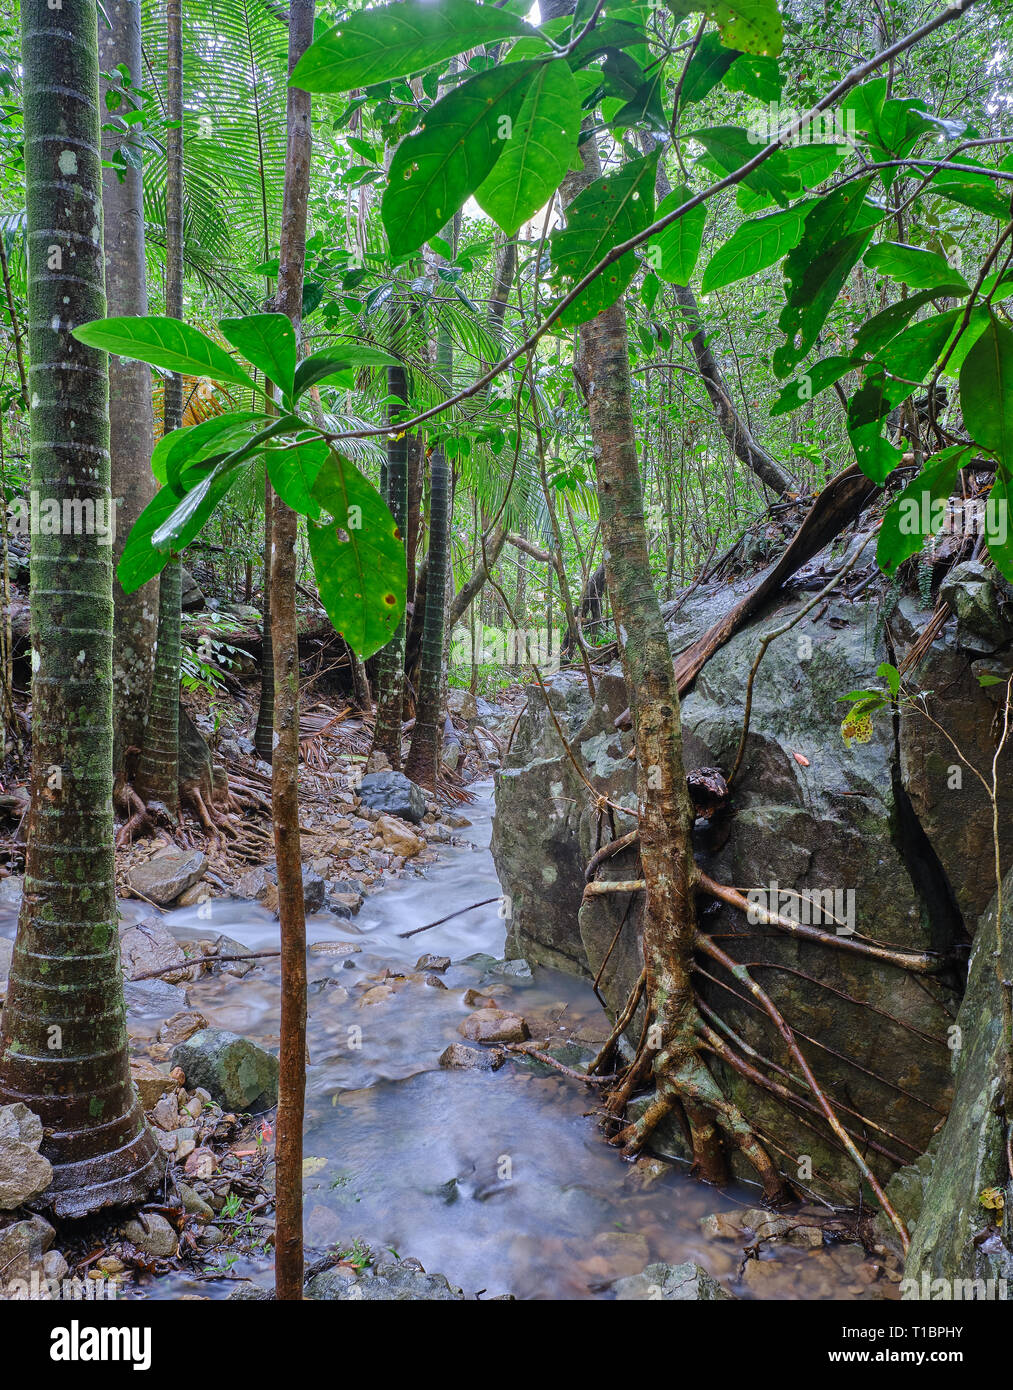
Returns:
<point x="609" y="212"/>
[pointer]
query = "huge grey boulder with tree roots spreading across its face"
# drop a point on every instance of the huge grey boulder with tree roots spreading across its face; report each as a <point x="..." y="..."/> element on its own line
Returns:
<point x="811" y="815"/>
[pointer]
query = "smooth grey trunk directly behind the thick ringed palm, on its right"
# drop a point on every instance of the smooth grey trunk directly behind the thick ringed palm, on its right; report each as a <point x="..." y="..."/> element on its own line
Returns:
<point x="130" y="414"/>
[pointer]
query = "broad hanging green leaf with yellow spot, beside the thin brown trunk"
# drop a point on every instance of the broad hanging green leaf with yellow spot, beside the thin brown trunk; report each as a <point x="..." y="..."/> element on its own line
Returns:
<point x="359" y="558"/>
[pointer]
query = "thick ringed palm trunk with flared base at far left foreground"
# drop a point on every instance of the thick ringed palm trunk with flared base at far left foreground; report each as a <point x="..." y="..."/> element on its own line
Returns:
<point x="63" y="1038"/>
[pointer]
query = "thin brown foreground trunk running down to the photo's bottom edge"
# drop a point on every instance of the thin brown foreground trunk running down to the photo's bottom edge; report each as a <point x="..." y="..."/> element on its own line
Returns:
<point x="286" y="765"/>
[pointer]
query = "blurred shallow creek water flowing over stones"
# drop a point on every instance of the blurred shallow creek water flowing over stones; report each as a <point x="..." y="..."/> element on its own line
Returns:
<point x="500" y="1181"/>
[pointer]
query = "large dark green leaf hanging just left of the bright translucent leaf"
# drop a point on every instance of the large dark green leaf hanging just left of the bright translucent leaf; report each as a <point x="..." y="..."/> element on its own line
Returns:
<point x="434" y="173"/>
